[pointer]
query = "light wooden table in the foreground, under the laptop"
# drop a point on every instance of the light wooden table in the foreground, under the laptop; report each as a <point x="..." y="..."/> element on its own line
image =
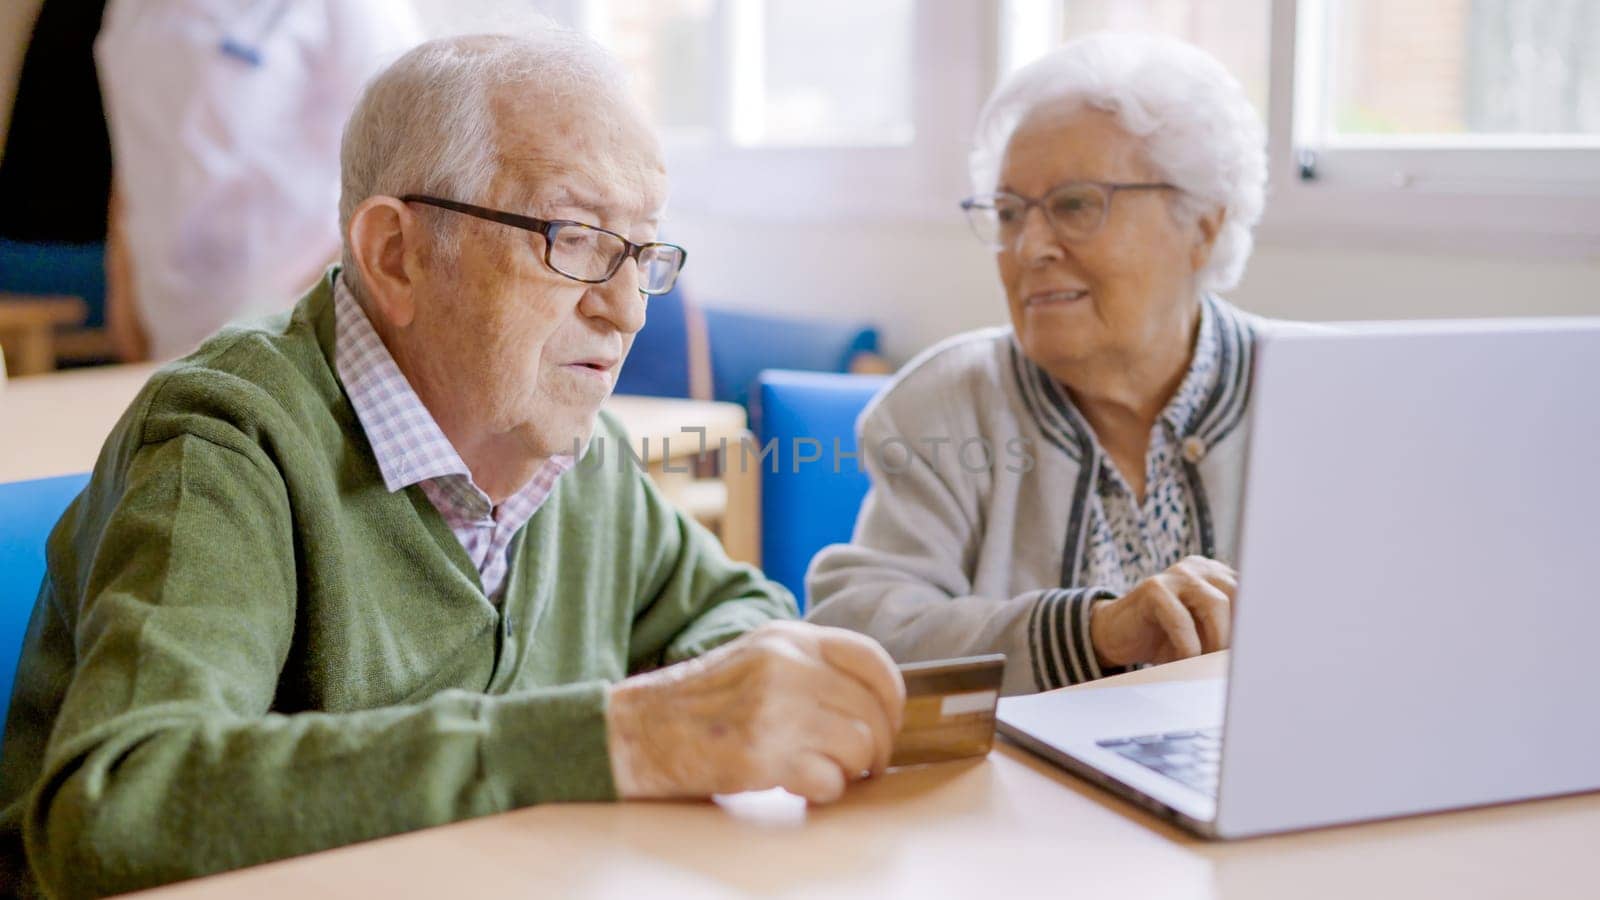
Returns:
<point x="1004" y="827"/>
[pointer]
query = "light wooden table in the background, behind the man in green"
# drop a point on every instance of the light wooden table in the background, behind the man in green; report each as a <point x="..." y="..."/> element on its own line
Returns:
<point x="55" y="425"/>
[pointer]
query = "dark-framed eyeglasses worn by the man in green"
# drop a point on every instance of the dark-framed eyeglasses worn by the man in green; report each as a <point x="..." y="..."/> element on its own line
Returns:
<point x="585" y="254"/>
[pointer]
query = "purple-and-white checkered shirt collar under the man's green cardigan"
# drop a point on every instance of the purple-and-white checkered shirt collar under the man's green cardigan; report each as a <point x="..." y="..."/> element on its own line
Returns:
<point x="412" y="449"/>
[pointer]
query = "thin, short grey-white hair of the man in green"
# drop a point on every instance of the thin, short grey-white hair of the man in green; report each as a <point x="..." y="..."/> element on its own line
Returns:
<point x="426" y="124"/>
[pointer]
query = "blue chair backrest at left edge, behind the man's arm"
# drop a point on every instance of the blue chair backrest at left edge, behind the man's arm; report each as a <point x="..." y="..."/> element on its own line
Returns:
<point x="28" y="513"/>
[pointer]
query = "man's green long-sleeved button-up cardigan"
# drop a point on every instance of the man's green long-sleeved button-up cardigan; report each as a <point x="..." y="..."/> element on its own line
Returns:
<point x="246" y="648"/>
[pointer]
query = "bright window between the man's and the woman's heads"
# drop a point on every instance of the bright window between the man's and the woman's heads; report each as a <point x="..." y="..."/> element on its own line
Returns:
<point x="806" y="110"/>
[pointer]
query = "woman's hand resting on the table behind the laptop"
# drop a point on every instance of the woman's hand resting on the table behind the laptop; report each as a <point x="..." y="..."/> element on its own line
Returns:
<point x="1182" y="613"/>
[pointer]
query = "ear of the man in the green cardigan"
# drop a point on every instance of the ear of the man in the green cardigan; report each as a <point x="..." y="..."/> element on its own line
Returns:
<point x="385" y="241"/>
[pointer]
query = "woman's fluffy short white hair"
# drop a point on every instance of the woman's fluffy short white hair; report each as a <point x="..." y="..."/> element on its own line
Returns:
<point x="1201" y="134"/>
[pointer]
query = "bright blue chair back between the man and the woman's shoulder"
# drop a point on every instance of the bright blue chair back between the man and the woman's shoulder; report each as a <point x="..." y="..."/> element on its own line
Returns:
<point x="807" y="507"/>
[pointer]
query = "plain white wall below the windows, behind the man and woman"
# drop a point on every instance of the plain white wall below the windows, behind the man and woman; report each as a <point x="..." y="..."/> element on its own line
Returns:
<point x="926" y="283"/>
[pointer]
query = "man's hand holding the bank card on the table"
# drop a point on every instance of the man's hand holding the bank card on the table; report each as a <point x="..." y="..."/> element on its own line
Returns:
<point x="790" y="705"/>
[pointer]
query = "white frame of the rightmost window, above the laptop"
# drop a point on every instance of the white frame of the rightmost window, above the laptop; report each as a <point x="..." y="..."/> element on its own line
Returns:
<point x="1487" y="195"/>
